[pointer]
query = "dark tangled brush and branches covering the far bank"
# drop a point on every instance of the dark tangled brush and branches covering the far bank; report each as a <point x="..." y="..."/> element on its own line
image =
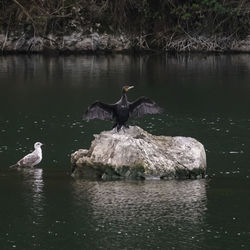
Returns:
<point x="159" y="24"/>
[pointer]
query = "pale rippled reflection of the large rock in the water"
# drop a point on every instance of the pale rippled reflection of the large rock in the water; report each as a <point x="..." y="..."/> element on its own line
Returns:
<point x="145" y="212"/>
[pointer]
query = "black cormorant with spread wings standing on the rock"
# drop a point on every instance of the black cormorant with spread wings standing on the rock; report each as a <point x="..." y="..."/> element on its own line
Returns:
<point x="122" y="110"/>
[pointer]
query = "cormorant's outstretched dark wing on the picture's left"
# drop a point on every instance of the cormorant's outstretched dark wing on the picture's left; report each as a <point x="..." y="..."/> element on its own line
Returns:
<point x="100" y="110"/>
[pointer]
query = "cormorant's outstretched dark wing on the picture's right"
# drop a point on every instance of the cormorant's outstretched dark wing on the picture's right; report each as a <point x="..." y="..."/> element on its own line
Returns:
<point x="143" y="106"/>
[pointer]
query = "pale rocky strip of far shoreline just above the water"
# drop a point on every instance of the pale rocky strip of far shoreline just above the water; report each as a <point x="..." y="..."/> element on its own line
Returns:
<point x="95" y="43"/>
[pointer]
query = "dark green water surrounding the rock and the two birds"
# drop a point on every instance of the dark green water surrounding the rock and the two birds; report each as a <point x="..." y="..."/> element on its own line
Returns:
<point x="43" y="99"/>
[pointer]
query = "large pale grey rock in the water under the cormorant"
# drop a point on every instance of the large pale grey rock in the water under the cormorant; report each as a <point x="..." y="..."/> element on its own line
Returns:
<point x="134" y="153"/>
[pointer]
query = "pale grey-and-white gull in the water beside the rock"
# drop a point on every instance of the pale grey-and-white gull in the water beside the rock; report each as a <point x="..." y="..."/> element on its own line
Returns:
<point x="31" y="159"/>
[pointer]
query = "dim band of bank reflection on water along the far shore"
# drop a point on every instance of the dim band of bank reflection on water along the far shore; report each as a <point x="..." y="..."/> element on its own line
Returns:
<point x="117" y="70"/>
